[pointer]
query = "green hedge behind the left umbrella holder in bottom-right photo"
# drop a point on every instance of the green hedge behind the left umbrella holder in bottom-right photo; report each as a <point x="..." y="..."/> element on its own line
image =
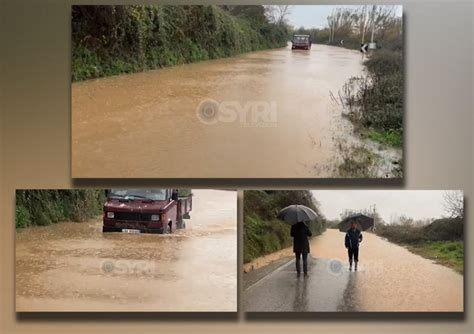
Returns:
<point x="263" y="232"/>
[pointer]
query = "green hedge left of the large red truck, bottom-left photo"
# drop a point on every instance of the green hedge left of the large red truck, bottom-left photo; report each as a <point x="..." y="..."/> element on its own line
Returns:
<point x="45" y="207"/>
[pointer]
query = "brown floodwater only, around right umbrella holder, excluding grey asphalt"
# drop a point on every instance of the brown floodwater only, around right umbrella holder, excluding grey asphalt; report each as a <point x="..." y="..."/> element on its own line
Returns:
<point x="391" y="278"/>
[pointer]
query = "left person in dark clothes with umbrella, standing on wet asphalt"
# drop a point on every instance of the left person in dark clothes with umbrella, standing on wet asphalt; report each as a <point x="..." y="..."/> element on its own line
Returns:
<point x="296" y="216"/>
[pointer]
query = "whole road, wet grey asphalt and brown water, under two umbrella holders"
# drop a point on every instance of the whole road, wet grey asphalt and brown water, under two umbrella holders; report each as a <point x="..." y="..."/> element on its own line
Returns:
<point x="389" y="279"/>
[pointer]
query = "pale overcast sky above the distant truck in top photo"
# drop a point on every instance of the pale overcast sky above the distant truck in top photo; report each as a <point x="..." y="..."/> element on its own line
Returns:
<point x="316" y="16"/>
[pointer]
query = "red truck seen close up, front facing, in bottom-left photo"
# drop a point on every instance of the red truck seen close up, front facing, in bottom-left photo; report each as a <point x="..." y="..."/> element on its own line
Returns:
<point x="146" y="210"/>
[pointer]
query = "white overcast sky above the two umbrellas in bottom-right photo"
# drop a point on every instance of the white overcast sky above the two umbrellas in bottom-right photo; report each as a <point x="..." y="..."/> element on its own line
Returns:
<point x="417" y="204"/>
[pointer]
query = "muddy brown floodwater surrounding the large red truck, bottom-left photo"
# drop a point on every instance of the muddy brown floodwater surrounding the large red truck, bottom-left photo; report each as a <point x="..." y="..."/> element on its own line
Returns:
<point x="75" y="267"/>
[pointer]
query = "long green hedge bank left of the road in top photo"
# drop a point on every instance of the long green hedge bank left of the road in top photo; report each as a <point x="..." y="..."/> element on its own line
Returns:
<point x="110" y="40"/>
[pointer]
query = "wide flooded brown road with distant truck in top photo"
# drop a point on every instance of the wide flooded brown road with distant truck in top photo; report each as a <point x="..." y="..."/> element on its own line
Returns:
<point x="278" y="102"/>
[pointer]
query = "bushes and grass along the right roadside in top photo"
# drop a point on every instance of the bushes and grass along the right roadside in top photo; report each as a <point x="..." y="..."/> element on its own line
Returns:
<point x="373" y="102"/>
